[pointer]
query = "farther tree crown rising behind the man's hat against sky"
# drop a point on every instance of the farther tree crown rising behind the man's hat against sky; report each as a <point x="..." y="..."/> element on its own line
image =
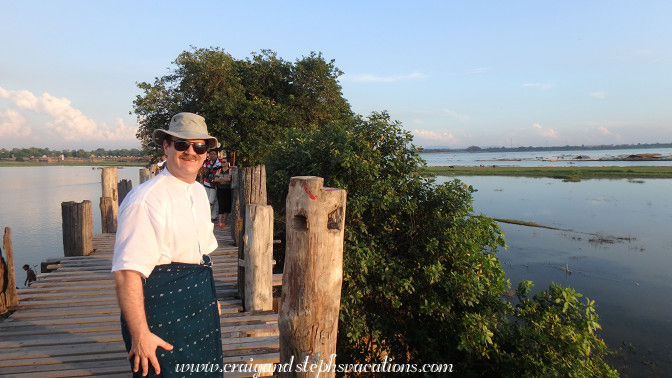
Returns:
<point x="248" y="104"/>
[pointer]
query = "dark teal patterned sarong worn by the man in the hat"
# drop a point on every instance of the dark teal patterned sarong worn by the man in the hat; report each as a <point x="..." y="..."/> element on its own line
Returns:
<point x="181" y="308"/>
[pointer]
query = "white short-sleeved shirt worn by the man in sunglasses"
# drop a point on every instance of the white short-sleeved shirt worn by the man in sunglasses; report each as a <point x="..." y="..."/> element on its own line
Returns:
<point x="163" y="220"/>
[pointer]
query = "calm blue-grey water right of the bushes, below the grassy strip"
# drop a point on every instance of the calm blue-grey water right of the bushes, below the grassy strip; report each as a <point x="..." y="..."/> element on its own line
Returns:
<point x="612" y="244"/>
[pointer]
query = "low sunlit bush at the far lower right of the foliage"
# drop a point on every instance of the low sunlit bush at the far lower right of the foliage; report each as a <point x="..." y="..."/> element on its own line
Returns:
<point x="554" y="337"/>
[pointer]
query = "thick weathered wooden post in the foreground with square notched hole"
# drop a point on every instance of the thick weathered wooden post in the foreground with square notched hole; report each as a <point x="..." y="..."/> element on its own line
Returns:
<point x="313" y="274"/>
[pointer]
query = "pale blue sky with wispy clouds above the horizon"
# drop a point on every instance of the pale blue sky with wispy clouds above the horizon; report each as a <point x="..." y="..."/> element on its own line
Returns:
<point x="454" y="73"/>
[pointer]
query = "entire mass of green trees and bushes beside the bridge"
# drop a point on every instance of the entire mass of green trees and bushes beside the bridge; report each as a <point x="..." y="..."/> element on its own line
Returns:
<point x="421" y="281"/>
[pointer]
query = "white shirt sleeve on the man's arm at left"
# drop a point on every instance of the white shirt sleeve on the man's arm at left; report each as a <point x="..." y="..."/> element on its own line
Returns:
<point x="137" y="244"/>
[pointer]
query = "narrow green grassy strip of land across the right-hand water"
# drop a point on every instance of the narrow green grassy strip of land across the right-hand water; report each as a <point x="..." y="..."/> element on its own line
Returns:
<point x="564" y="173"/>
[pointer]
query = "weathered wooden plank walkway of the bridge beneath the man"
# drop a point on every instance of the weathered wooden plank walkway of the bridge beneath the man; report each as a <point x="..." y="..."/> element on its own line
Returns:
<point x="67" y="323"/>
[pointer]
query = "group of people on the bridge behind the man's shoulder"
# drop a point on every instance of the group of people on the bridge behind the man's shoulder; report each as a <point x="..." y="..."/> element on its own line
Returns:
<point x="216" y="178"/>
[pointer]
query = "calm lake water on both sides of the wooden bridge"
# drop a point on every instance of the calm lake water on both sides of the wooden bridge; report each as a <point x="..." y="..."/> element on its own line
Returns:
<point x="616" y="241"/>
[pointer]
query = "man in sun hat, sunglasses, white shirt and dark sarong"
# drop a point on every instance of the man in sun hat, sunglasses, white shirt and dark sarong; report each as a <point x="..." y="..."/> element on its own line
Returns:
<point x="161" y="268"/>
